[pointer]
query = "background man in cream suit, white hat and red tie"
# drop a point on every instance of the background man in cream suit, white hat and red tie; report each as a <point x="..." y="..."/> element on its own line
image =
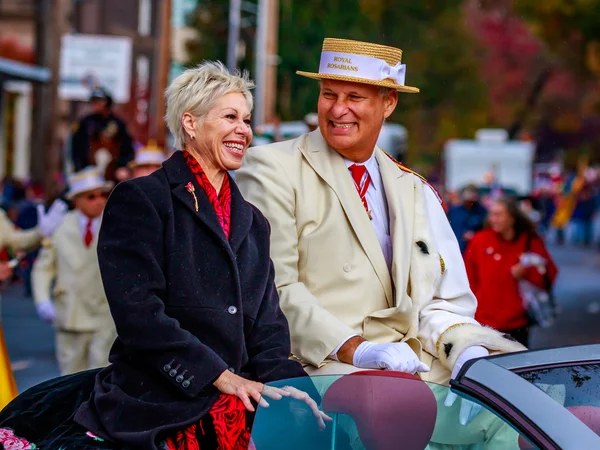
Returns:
<point x="80" y="312"/>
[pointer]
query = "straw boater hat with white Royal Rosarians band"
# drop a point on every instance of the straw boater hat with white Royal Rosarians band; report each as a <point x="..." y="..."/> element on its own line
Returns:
<point x="361" y="62"/>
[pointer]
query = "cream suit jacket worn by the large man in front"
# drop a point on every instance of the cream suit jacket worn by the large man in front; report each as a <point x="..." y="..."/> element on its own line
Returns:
<point x="330" y="271"/>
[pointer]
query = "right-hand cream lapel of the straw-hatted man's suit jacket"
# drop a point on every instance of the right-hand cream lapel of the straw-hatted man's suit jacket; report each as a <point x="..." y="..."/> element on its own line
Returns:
<point x="399" y="190"/>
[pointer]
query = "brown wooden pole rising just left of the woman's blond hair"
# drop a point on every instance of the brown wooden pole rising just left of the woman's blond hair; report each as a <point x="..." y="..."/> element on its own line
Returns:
<point x="158" y="126"/>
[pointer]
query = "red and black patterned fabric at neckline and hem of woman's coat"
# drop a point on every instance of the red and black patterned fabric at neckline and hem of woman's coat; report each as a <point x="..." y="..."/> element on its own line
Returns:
<point x="227" y="417"/>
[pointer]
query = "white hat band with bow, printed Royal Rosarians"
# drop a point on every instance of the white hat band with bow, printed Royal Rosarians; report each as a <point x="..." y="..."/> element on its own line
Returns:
<point x="361" y="66"/>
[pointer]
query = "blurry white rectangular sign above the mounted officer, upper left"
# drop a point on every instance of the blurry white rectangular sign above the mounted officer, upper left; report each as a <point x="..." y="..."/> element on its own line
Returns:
<point x="87" y="61"/>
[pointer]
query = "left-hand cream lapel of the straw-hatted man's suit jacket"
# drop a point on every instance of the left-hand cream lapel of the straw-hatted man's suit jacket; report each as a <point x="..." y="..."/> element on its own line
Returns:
<point x="330" y="166"/>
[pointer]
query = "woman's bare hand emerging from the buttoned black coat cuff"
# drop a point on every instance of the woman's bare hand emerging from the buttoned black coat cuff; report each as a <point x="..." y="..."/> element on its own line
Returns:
<point x="232" y="384"/>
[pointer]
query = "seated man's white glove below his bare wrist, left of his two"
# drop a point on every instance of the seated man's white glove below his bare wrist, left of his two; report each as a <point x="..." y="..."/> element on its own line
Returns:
<point x="396" y="356"/>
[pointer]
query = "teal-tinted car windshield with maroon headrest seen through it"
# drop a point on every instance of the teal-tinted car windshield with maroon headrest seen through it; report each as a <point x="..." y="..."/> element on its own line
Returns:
<point x="381" y="411"/>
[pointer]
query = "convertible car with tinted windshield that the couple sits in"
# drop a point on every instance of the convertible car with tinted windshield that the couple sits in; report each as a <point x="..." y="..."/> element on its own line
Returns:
<point x="545" y="399"/>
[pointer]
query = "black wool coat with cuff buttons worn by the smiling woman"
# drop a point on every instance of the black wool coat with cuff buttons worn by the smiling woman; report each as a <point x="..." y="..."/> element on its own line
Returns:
<point x="187" y="303"/>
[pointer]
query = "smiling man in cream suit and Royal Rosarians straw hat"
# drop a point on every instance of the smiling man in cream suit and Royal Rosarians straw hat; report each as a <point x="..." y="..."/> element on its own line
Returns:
<point x="368" y="270"/>
